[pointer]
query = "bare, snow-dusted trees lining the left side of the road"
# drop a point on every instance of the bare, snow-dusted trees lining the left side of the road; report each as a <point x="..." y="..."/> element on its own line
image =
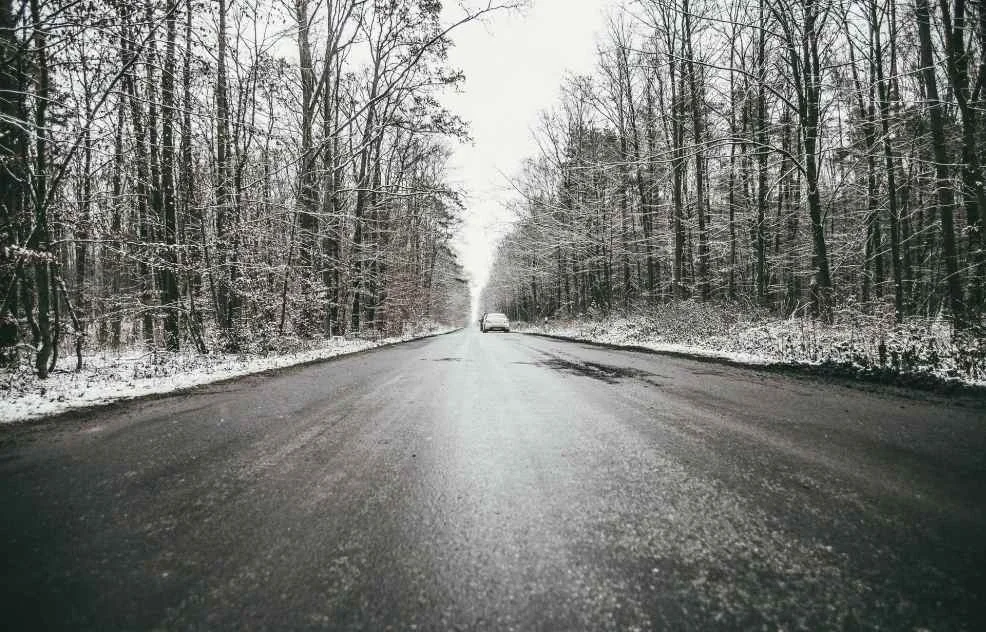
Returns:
<point x="222" y="175"/>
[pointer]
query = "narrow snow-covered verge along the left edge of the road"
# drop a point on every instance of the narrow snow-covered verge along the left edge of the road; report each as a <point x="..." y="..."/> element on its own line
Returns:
<point x="112" y="377"/>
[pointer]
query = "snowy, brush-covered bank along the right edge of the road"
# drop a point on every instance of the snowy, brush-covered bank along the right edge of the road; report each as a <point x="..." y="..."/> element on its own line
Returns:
<point x="921" y="354"/>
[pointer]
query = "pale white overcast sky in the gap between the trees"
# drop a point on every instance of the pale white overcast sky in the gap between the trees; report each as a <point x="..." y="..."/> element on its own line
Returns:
<point x="514" y="64"/>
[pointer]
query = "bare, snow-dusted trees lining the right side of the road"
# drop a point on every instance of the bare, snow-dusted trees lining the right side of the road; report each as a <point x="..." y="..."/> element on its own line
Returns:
<point x="799" y="156"/>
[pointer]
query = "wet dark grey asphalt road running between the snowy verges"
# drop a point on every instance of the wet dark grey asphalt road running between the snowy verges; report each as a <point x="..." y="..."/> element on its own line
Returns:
<point x="496" y="482"/>
